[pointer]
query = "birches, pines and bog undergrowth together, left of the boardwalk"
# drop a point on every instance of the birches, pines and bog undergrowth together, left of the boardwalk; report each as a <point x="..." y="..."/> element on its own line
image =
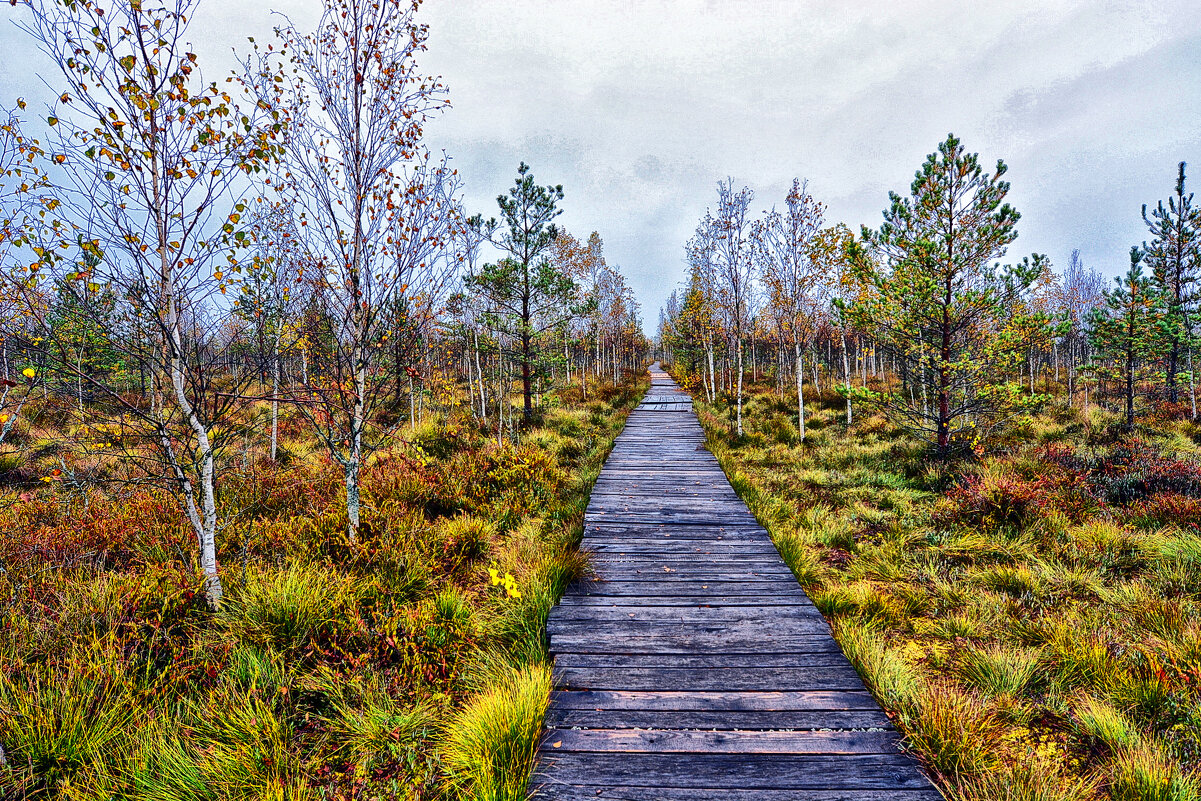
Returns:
<point x="294" y="447"/>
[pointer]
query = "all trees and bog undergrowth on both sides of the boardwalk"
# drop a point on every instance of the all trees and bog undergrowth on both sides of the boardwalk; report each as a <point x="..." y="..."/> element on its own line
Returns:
<point x="295" y="449"/>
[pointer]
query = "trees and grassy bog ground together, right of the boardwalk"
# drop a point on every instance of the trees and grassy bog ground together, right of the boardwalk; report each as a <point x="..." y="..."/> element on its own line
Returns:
<point x="985" y="475"/>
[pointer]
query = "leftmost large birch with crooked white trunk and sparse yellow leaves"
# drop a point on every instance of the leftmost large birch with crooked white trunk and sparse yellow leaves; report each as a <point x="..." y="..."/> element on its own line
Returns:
<point x="150" y="163"/>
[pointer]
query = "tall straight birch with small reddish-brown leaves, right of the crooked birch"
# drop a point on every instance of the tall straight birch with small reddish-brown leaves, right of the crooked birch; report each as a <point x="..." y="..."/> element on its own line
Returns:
<point x="375" y="210"/>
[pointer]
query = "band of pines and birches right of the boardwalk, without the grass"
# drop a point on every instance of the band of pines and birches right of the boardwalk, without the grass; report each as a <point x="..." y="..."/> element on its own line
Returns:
<point x="919" y="319"/>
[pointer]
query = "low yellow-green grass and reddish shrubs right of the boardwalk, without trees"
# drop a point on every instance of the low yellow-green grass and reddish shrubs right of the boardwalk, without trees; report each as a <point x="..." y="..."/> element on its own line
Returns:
<point x="1031" y="619"/>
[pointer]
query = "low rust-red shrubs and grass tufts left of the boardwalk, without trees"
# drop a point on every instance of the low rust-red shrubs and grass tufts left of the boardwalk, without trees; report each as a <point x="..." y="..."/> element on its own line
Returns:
<point x="410" y="665"/>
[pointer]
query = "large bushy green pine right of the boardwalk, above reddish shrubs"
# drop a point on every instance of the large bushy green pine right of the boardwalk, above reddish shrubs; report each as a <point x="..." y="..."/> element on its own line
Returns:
<point x="934" y="304"/>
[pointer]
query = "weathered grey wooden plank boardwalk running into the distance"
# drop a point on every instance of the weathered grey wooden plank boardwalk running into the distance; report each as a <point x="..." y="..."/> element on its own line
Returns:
<point x="695" y="667"/>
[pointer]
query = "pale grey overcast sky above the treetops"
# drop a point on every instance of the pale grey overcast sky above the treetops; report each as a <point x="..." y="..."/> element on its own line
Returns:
<point x="638" y="107"/>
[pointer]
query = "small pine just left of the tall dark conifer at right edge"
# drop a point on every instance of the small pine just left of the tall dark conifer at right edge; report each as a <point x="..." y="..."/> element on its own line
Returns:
<point x="1128" y="330"/>
